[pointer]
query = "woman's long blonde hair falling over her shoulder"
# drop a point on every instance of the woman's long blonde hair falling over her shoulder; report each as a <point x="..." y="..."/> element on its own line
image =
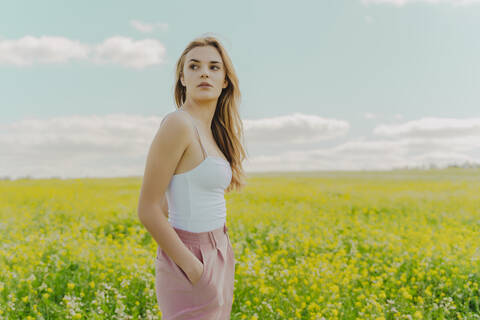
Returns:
<point x="227" y="127"/>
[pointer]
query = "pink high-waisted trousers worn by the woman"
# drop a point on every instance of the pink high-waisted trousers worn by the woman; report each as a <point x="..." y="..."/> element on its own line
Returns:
<point x="211" y="297"/>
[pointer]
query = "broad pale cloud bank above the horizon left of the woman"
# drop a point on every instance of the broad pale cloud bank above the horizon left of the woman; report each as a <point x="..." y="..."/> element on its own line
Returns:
<point x="75" y="146"/>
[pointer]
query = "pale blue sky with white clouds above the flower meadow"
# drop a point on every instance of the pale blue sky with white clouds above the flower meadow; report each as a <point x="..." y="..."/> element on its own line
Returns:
<point x="326" y="85"/>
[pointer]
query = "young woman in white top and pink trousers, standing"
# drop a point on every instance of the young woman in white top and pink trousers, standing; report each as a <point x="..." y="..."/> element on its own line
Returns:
<point x="195" y="157"/>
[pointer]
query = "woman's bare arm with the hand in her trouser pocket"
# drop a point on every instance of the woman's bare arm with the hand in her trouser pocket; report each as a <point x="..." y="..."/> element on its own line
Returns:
<point x="166" y="150"/>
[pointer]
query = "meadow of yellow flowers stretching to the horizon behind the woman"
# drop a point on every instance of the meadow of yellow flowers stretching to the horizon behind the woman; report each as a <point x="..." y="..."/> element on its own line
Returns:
<point x="318" y="245"/>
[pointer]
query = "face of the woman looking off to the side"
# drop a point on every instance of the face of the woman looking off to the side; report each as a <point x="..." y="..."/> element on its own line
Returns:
<point x="203" y="64"/>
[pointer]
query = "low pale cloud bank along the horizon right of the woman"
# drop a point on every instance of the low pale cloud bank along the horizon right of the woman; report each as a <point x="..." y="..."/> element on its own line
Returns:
<point x="359" y="154"/>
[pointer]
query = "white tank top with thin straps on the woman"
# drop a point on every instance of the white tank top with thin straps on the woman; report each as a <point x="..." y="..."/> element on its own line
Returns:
<point x="196" y="198"/>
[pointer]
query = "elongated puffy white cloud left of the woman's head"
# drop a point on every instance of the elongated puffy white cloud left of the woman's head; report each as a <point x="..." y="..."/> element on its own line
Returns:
<point x="124" y="51"/>
